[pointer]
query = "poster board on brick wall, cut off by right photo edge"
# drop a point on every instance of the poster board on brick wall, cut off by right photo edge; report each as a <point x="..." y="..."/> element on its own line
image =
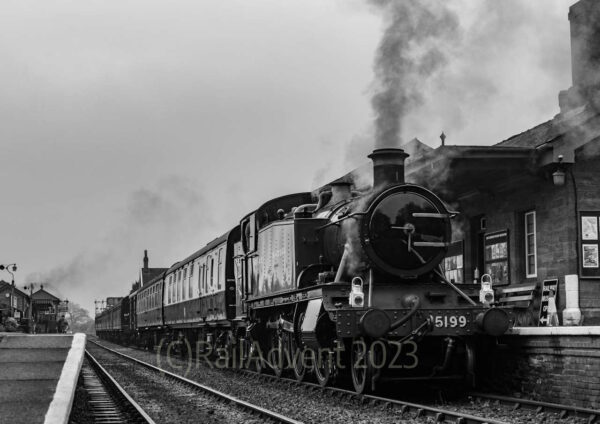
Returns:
<point x="589" y="244"/>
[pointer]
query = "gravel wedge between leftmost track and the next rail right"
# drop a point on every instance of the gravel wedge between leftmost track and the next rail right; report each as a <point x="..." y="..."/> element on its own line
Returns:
<point x="165" y="400"/>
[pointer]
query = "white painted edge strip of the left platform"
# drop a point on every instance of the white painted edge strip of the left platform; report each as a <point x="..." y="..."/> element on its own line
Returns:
<point x="60" y="407"/>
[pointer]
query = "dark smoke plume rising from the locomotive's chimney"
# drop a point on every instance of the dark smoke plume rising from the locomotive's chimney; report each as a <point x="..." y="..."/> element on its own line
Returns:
<point x="410" y="52"/>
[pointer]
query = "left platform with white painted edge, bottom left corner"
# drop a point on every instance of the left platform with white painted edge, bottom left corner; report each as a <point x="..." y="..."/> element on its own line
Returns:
<point x="38" y="376"/>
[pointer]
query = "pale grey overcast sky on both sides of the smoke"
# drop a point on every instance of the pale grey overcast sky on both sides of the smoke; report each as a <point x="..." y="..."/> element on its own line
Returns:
<point x="129" y="125"/>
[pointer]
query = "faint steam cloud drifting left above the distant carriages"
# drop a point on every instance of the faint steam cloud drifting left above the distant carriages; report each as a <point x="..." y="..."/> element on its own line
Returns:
<point x="171" y="220"/>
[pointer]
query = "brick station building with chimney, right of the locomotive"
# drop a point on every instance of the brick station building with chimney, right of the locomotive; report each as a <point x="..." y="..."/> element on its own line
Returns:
<point x="530" y="205"/>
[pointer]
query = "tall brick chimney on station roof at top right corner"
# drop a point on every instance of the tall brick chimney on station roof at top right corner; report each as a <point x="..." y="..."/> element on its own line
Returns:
<point x="584" y="17"/>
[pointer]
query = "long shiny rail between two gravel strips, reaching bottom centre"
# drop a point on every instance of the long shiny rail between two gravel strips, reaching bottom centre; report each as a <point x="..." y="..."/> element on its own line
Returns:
<point x="263" y="414"/>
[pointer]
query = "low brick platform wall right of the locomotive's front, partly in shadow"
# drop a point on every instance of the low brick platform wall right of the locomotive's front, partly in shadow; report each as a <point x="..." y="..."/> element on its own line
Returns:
<point x="560" y="369"/>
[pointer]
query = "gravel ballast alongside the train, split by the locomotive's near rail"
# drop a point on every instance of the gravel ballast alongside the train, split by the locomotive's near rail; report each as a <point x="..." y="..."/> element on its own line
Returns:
<point x="316" y="407"/>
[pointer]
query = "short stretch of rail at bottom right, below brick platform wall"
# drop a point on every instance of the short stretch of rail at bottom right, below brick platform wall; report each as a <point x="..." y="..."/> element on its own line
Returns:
<point x="541" y="408"/>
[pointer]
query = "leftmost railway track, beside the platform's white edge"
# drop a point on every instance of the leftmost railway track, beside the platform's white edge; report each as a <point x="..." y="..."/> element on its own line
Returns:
<point x="108" y="401"/>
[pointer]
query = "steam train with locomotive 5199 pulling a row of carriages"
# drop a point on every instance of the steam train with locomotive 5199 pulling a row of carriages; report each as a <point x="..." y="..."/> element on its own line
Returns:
<point x="346" y="285"/>
